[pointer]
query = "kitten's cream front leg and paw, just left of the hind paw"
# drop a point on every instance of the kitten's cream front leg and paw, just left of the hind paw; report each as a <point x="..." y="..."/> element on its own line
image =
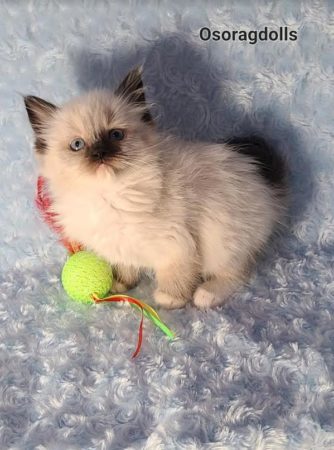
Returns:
<point x="176" y="284"/>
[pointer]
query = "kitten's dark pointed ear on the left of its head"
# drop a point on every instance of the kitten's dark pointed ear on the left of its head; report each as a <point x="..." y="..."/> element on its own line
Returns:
<point x="39" y="112"/>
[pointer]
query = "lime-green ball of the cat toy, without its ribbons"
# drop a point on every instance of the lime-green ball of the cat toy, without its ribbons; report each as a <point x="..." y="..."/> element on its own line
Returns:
<point x="85" y="274"/>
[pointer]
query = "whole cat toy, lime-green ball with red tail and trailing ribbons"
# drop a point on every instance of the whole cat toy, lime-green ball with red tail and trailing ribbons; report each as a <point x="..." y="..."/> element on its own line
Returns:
<point x="86" y="277"/>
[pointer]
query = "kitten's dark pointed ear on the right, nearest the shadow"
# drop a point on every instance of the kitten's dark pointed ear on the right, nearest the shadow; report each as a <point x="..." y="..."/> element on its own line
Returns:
<point x="133" y="90"/>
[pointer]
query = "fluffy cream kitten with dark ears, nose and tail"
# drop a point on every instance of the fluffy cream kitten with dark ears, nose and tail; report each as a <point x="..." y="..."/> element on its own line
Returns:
<point x="196" y="213"/>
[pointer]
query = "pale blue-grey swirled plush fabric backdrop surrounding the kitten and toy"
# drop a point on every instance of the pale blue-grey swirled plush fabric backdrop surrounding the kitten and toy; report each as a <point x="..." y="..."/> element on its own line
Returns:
<point x="254" y="374"/>
